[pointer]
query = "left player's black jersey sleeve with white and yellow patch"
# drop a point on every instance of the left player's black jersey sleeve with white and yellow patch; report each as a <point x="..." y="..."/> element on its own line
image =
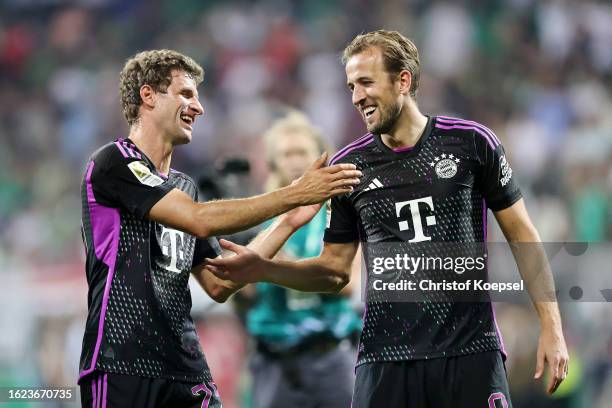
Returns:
<point x="126" y="182"/>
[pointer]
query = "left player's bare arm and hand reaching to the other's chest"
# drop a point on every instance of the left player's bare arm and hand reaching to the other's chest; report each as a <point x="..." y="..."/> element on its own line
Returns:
<point x="178" y="210"/>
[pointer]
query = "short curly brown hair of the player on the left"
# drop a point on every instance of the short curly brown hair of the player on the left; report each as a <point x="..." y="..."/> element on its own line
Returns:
<point x="151" y="68"/>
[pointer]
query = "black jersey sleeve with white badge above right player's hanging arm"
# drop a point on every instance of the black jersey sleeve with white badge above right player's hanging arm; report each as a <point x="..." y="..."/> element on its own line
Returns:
<point x="498" y="183"/>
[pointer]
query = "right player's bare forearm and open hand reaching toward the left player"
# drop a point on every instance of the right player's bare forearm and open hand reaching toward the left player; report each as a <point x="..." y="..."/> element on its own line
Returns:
<point x="329" y="272"/>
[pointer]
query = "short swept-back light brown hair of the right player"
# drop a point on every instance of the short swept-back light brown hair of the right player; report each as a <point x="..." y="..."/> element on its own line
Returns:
<point x="399" y="53"/>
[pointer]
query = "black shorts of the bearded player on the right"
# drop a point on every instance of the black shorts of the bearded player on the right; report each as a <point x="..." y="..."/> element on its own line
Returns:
<point x="470" y="381"/>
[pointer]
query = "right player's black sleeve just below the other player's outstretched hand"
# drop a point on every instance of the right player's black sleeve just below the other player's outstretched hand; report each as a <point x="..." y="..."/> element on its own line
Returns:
<point x="341" y="221"/>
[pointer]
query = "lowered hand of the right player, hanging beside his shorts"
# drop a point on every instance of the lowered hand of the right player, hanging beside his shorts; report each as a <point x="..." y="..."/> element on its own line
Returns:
<point x="552" y="349"/>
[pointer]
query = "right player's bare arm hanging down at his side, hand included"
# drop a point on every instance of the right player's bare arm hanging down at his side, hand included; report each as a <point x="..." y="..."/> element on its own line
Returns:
<point x="535" y="271"/>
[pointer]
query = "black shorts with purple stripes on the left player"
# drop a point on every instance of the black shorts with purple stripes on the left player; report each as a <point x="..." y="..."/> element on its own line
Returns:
<point x="110" y="390"/>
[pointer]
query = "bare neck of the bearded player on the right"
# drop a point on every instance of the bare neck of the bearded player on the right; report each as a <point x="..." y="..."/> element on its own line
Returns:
<point x="408" y="129"/>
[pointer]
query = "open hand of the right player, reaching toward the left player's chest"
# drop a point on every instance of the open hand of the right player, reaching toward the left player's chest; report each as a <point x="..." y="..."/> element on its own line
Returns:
<point x="245" y="267"/>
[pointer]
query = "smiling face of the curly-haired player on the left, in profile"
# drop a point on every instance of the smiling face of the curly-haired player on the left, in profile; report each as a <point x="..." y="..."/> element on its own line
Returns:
<point x="176" y="109"/>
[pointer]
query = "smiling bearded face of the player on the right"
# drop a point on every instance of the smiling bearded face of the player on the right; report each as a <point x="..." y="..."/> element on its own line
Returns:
<point x="375" y="95"/>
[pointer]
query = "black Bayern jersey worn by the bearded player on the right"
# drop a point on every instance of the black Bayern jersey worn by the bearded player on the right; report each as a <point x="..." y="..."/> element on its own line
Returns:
<point x="436" y="192"/>
